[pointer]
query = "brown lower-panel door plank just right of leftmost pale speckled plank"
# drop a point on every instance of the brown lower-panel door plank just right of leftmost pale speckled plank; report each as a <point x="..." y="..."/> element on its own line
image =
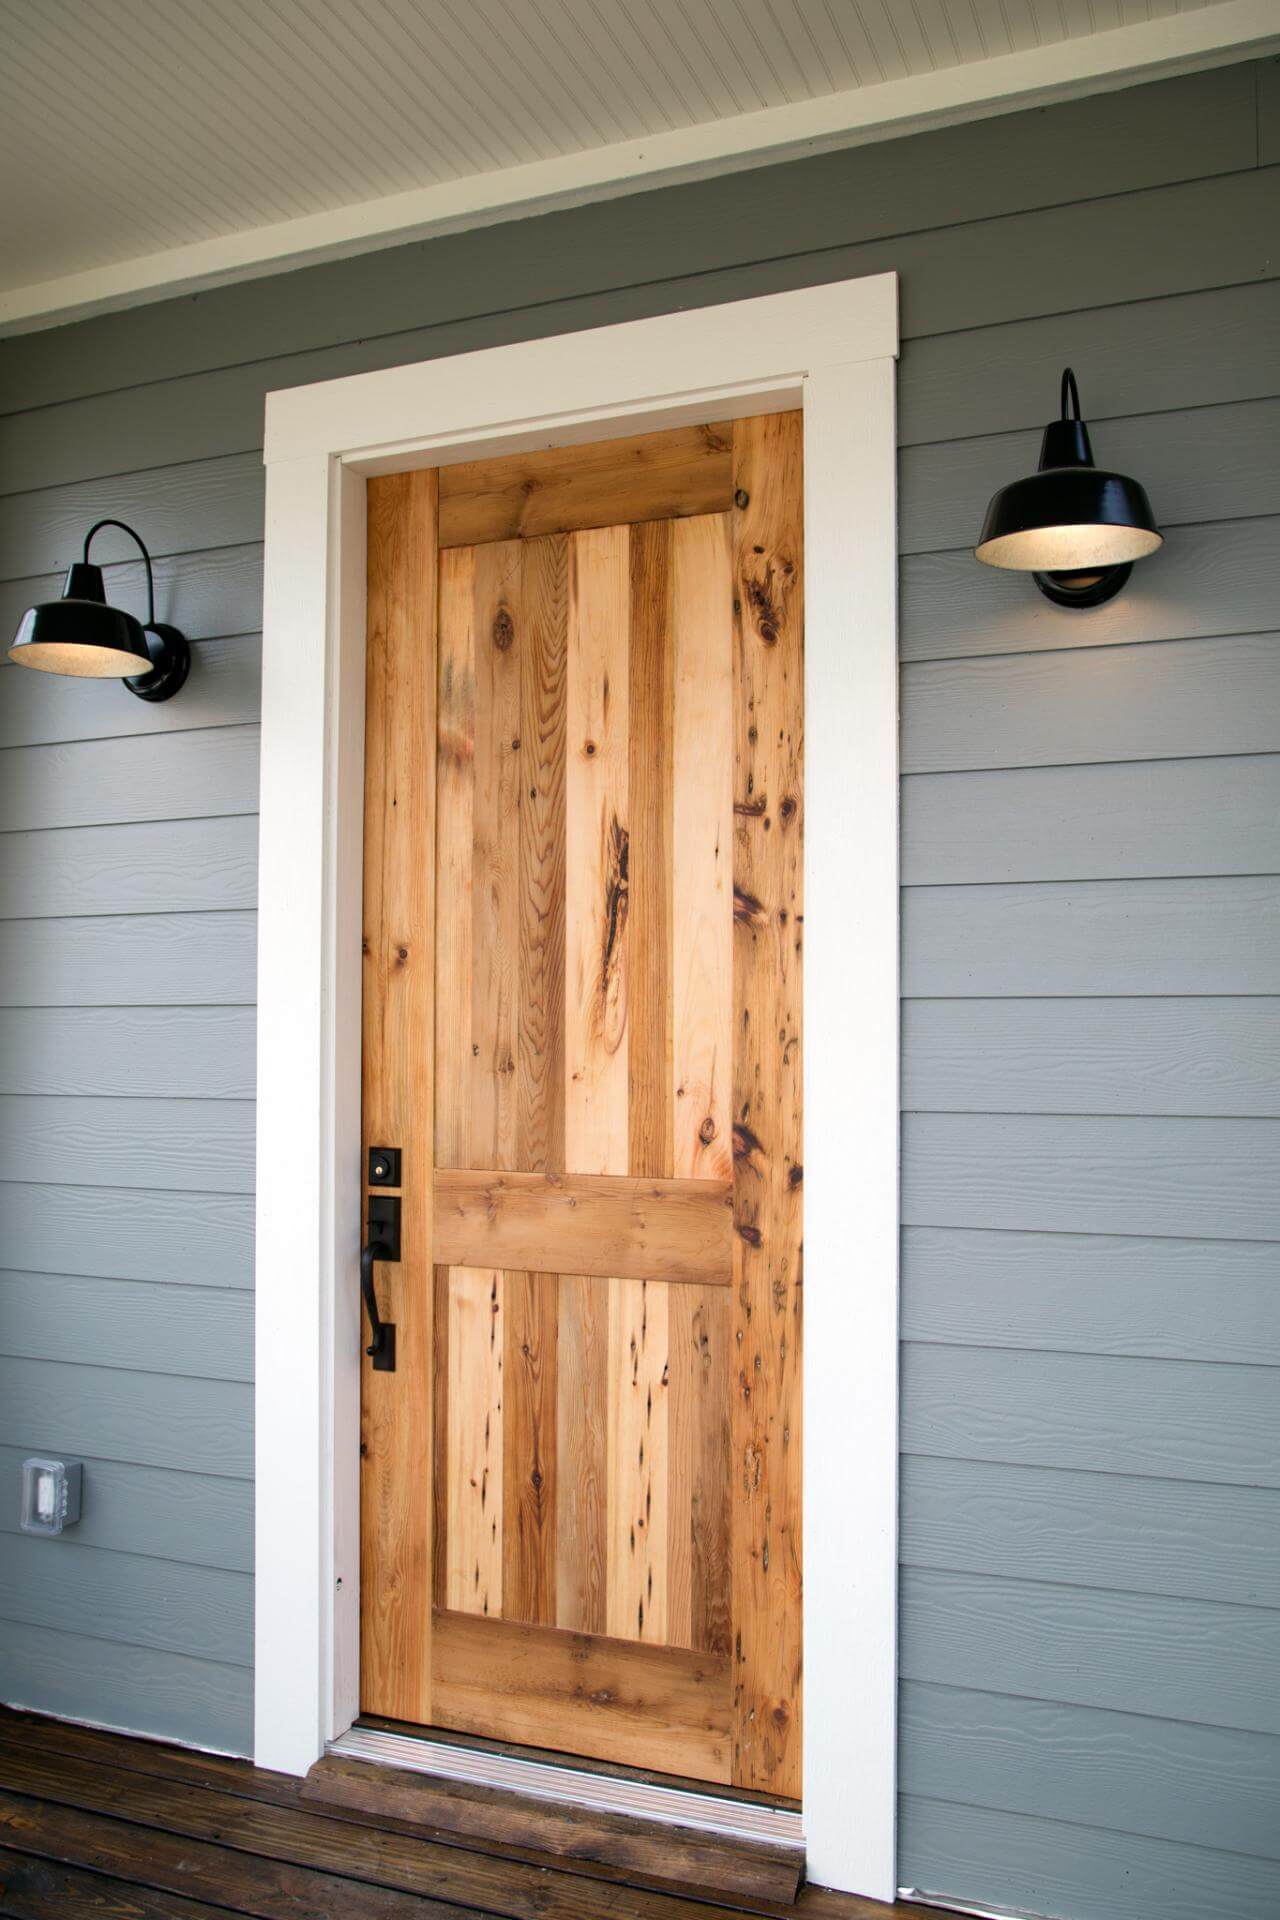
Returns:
<point x="531" y="1447"/>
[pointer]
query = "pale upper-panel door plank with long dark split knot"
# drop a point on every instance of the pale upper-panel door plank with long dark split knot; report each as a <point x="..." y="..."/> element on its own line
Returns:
<point x="598" y="855"/>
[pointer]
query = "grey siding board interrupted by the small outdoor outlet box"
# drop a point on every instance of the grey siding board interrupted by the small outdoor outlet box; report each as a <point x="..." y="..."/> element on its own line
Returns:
<point x="195" y="1518"/>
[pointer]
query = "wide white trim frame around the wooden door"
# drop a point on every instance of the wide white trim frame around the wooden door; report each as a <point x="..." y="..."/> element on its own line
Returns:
<point x="832" y="352"/>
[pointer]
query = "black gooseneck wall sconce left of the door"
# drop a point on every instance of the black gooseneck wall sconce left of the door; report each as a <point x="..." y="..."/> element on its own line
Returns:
<point x="80" y="635"/>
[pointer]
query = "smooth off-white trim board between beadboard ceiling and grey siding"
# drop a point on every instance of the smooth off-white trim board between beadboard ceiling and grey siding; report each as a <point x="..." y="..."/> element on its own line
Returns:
<point x="1066" y="70"/>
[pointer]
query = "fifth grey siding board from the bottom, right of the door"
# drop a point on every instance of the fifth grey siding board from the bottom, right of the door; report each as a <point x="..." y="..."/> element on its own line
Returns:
<point x="1099" y="1414"/>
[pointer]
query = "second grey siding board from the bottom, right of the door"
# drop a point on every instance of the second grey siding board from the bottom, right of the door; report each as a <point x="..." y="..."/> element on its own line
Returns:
<point x="1095" y="1767"/>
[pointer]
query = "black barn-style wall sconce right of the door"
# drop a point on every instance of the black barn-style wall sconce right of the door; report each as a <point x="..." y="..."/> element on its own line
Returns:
<point x="1072" y="527"/>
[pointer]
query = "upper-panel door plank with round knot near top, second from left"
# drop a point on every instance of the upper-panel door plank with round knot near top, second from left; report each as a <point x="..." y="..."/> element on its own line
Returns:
<point x="496" y="886"/>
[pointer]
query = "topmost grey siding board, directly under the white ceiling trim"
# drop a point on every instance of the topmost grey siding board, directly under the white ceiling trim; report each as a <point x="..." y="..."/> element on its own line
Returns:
<point x="1172" y="132"/>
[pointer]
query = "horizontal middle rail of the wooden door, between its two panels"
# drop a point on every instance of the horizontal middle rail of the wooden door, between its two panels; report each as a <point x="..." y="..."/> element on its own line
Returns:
<point x="573" y="1224"/>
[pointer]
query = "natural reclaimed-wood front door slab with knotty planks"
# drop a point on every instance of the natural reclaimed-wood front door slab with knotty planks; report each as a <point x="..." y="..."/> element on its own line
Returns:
<point x="582" y="1028"/>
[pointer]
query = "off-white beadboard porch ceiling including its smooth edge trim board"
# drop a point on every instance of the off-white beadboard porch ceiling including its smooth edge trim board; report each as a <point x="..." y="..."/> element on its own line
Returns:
<point x="160" y="145"/>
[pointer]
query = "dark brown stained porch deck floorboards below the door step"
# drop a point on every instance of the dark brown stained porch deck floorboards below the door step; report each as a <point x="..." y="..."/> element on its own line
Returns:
<point x="101" y="1825"/>
